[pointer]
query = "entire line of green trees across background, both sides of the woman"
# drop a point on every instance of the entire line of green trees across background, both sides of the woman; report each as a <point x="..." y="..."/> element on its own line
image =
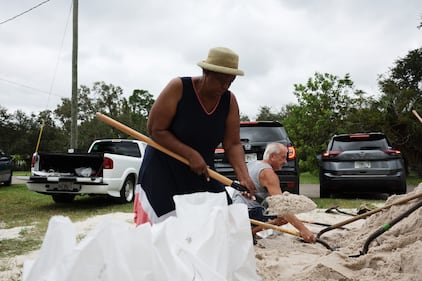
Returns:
<point x="326" y="105"/>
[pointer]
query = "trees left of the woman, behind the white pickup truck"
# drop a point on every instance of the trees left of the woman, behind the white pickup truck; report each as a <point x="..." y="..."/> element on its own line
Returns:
<point x="23" y="134"/>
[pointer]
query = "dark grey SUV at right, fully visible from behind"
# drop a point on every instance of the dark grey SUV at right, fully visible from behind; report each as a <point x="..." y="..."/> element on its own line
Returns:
<point x="361" y="163"/>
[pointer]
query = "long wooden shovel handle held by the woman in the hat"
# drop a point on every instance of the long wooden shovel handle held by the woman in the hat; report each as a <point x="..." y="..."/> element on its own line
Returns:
<point x="137" y="135"/>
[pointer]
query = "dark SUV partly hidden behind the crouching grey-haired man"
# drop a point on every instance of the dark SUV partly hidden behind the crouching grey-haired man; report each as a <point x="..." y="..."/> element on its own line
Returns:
<point x="254" y="137"/>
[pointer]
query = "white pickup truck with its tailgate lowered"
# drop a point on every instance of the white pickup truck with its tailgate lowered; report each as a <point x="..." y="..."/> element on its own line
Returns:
<point x="110" y="167"/>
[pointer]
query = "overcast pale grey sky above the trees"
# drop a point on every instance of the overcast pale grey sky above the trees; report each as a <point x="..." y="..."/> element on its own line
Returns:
<point x="142" y="44"/>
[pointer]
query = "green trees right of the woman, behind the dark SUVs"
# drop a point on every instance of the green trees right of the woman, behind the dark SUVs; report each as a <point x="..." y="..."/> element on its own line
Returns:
<point x="328" y="105"/>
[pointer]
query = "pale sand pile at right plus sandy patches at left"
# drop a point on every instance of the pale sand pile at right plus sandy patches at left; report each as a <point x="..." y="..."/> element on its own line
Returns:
<point x="394" y="255"/>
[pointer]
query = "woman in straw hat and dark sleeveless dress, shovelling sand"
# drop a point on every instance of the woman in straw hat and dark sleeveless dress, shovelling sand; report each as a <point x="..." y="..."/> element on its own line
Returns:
<point x="190" y="117"/>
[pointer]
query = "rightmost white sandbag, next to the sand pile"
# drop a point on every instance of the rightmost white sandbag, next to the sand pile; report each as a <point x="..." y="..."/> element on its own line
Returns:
<point x="219" y="236"/>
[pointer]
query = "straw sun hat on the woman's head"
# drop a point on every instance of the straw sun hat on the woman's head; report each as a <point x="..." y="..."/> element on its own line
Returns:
<point x="222" y="60"/>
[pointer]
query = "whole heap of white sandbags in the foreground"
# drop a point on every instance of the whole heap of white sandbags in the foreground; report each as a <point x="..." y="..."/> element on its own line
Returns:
<point x="207" y="241"/>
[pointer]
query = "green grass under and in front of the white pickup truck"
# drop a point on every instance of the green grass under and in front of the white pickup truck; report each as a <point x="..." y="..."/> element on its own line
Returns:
<point x="21" y="207"/>
